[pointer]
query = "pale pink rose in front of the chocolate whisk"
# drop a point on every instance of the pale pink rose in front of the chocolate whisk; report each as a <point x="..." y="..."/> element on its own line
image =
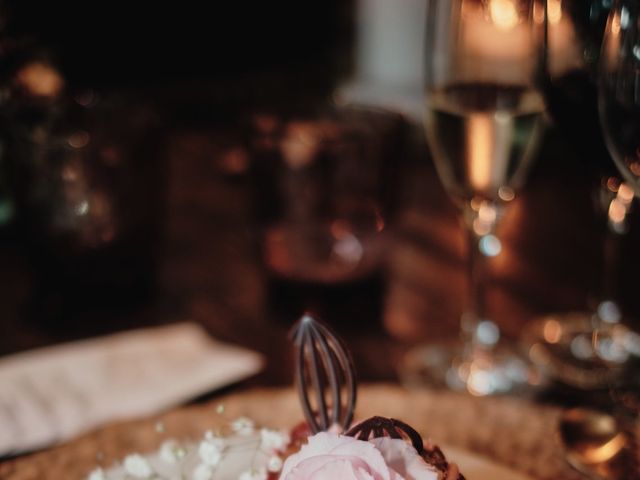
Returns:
<point x="328" y="456"/>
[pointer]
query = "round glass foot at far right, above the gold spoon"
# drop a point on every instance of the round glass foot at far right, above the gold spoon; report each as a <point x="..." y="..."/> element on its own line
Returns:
<point x="568" y="350"/>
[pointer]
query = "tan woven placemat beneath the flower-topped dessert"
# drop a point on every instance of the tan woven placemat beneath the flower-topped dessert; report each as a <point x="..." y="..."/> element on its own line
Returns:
<point x="509" y="431"/>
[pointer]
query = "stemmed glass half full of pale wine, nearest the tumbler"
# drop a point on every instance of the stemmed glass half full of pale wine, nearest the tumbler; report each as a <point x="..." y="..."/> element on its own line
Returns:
<point x="483" y="119"/>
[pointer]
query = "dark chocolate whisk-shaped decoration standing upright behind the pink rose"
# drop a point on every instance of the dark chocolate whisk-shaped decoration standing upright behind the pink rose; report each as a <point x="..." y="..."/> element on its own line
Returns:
<point x="324" y="376"/>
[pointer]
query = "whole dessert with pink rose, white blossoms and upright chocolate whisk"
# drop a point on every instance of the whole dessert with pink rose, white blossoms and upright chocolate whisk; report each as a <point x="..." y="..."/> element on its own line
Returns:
<point x="327" y="445"/>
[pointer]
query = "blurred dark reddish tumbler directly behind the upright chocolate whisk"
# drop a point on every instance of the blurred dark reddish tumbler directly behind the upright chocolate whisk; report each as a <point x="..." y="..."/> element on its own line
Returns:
<point x="324" y="184"/>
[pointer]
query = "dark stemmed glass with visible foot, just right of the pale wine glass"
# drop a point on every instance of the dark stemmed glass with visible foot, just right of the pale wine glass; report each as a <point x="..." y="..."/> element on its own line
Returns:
<point x="565" y="343"/>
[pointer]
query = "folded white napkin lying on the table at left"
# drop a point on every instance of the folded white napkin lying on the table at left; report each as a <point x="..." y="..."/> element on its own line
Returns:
<point x="52" y="394"/>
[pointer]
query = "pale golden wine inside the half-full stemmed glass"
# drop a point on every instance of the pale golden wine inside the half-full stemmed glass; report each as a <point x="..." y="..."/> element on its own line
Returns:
<point x="481" y="135"/>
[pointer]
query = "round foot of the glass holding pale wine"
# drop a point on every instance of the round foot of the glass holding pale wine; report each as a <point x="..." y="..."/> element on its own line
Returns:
<point x="481" y="373"/>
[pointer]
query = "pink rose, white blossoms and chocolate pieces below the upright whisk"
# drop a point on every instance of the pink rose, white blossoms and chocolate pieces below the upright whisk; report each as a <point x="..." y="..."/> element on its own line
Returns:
<point x="243" y="451"/>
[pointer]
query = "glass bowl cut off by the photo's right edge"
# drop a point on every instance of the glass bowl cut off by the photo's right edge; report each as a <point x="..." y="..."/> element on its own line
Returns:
<point x="619" y="89"/>
